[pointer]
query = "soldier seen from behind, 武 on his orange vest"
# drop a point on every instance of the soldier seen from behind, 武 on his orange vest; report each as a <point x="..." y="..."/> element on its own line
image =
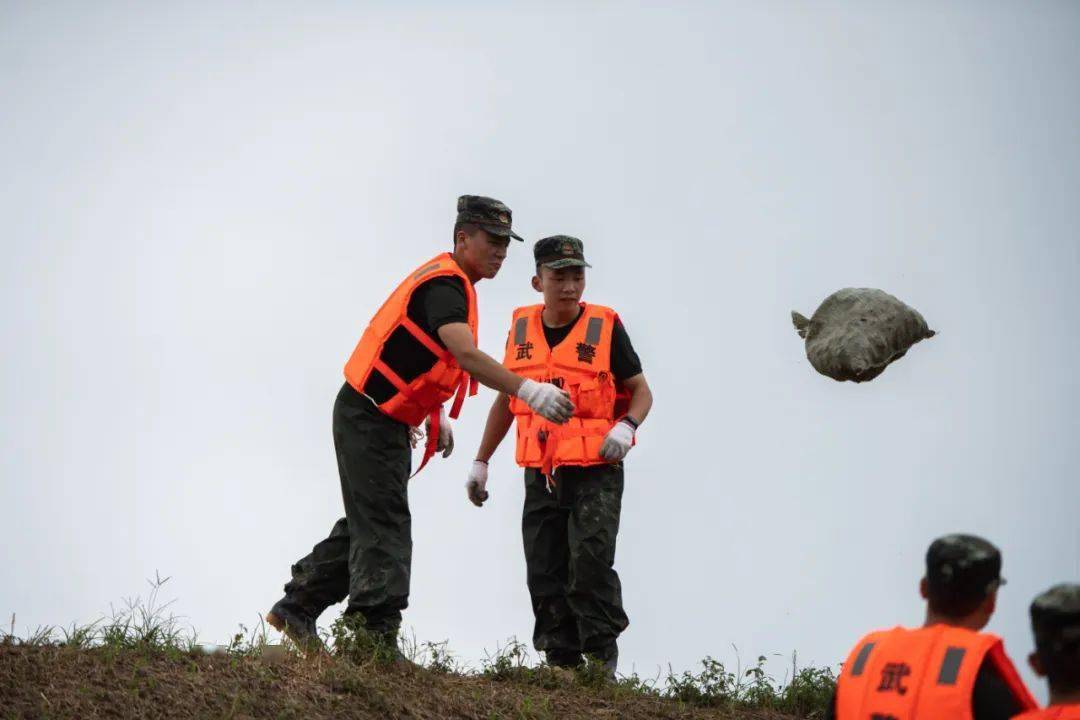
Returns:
<point x="948" y="669"/>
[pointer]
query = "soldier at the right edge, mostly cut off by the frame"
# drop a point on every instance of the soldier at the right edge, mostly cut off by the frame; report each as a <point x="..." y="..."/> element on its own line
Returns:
<point x="1056" y="620"/>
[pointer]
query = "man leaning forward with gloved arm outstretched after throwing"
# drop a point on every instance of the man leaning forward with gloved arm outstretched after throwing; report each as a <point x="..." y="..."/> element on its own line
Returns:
<point x="417" y="354"/>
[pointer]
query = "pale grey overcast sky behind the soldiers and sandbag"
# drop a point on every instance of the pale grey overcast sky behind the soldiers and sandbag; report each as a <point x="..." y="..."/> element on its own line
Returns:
<point x="201" y="207"/>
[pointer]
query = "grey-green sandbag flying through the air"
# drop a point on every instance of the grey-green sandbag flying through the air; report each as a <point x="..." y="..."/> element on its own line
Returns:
<point x="857" y="332"/>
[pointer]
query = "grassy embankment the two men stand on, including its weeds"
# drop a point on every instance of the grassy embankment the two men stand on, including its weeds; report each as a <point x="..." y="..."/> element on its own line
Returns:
<point x="140" y="663"/>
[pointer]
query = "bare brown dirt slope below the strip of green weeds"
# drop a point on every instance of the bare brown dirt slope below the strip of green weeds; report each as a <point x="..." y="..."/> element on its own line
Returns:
<point x="63" y="683"/>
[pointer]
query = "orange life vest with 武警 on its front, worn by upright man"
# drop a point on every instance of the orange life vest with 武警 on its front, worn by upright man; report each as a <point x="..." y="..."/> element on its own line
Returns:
<point x="582" y="365"/>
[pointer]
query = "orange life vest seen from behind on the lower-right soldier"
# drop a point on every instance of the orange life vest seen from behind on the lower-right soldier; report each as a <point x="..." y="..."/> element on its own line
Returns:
<point x="925" y="674"/>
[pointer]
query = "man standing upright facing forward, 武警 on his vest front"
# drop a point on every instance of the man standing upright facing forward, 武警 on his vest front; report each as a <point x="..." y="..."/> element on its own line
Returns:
<point x="574" y="474"/>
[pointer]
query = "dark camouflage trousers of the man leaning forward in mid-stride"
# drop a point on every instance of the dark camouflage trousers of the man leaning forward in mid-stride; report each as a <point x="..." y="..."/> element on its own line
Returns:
<point x="369" y="554"/>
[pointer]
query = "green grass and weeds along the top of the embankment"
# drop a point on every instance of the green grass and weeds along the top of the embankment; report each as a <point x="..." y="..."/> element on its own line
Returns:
<point x="150" y="627"/>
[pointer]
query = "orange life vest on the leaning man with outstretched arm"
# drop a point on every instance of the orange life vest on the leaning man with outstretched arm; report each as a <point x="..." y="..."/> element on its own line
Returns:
<point x="423" y="397"/>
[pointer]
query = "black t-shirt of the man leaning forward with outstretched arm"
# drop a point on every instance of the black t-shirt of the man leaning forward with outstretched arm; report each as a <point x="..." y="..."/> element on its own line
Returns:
<point x="435" y="304"/>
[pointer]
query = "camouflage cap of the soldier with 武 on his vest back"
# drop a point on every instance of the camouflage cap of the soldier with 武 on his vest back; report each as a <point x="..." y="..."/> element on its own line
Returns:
<point x="964" y="566"/>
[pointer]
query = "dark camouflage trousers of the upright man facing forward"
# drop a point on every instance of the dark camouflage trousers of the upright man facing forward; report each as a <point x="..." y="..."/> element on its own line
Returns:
<point x="570" y="538"/>
